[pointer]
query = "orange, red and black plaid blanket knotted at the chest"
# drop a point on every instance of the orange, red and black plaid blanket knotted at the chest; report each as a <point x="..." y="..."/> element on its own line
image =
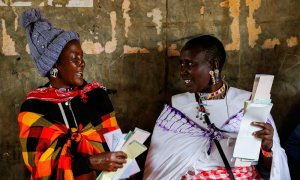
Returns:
<point x="46" y="146"/>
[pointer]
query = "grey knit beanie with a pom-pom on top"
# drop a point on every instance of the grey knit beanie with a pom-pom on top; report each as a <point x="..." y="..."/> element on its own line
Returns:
<point x="45" y="41"/>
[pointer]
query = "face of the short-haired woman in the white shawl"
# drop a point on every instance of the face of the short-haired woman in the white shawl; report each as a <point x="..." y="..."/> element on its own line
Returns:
<point x="194" y="70"/>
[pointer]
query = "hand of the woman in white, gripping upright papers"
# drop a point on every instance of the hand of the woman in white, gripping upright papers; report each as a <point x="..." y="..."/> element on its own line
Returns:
<point x="266" y="134"/>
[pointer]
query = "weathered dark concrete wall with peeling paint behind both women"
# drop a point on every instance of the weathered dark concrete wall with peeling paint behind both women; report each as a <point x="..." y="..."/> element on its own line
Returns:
<point x="132" y="46"/>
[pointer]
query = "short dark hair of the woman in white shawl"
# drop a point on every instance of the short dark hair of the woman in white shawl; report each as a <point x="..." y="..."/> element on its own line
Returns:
<point x="210" y="45"/>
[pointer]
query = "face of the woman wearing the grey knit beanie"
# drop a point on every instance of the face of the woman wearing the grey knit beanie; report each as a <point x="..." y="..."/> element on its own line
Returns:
<point x="71" y="65"/>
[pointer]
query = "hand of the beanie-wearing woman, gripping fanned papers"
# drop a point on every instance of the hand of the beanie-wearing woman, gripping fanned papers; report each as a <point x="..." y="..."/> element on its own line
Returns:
<point x="108" y="161"/>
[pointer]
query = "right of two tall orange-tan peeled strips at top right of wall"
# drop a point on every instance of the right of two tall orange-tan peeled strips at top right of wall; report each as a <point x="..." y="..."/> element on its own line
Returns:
<point x="253" y="32"/>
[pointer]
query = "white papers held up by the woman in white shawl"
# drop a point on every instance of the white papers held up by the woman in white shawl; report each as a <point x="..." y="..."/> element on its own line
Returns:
<point x="247" y="146"/>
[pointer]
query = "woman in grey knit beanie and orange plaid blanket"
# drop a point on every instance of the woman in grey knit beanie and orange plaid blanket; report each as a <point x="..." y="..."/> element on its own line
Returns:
<point x="62" y="123"/>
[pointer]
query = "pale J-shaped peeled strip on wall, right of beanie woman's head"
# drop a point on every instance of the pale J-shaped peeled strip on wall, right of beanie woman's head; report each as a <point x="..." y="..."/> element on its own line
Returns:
<point x="111" y="46"/>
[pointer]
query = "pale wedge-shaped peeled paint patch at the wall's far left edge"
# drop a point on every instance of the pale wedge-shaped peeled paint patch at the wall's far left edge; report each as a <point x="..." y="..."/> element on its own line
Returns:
<point x="8" y="45"/>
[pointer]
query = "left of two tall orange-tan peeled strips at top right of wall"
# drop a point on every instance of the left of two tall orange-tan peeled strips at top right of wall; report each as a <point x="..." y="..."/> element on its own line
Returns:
<point x="234" y="9"/>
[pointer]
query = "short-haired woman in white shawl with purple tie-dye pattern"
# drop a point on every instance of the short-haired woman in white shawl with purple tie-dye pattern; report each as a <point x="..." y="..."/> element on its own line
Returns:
<point x="186" y="147"/>
